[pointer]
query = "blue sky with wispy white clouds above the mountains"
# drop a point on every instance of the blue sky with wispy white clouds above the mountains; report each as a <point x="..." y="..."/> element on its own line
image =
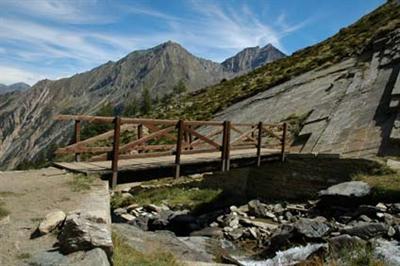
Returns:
<point x="57" y="38"/>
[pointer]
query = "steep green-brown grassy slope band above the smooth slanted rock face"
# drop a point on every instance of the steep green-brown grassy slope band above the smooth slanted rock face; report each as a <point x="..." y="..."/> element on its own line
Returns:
<point x="347" y="42"/>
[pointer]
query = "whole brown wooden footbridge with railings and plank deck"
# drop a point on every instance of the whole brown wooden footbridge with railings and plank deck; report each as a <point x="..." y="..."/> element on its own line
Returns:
<point x="136" y="144"/>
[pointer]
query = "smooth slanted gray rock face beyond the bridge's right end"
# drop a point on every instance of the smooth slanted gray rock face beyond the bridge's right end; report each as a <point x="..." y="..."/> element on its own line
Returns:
<point x="350" y="108"/>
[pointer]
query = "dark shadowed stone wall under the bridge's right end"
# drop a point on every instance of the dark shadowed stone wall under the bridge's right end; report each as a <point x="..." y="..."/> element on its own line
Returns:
<point x="296" y="179"/>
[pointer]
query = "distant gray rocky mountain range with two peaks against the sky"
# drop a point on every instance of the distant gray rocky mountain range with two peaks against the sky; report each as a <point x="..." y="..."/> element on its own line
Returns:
<point x="26" y="125"/>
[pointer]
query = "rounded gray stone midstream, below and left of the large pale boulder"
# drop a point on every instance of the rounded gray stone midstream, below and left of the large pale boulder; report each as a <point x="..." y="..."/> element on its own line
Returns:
<point x="311" y="228"/>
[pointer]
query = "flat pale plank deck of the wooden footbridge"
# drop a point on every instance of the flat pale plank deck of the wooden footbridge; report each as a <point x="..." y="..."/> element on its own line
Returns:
<point x="104" y="167"/>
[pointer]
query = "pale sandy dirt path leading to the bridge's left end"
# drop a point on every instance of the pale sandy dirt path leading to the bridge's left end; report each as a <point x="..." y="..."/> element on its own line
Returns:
<point x="29" y="196"/>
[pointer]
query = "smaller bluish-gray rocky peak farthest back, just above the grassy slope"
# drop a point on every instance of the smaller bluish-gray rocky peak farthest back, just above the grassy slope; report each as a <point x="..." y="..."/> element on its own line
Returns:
<point x="252" y="58"/>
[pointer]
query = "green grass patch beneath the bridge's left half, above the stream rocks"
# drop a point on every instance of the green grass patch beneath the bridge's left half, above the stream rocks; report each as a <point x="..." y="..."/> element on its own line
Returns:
<point x="174" y="197"/>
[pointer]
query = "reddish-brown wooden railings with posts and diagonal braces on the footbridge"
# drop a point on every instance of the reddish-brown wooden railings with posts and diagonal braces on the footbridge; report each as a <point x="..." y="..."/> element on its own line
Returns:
<point x="156" y="137"/>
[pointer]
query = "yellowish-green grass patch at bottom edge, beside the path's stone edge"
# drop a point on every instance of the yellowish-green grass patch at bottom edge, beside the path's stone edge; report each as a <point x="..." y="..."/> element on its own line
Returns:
<point x="125" y="255"/>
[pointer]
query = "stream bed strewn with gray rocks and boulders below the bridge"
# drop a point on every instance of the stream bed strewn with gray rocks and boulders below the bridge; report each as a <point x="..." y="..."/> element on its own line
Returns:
<point x="343" y="225"/>
